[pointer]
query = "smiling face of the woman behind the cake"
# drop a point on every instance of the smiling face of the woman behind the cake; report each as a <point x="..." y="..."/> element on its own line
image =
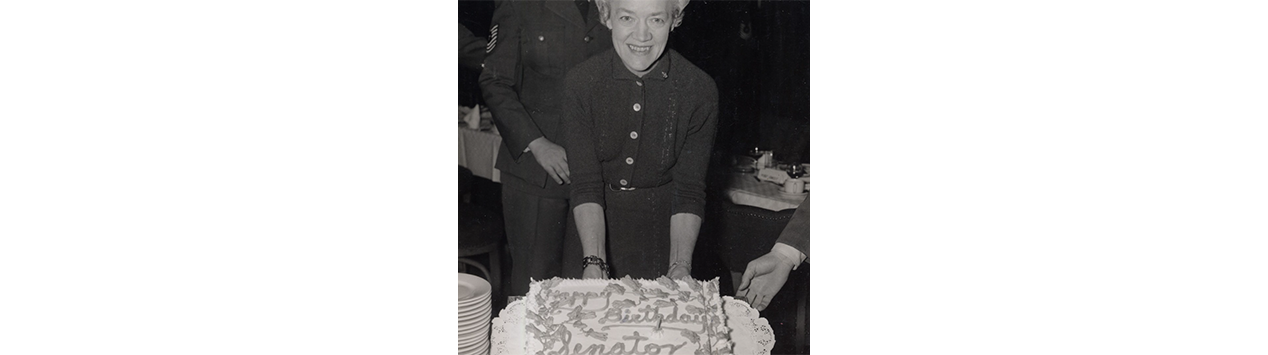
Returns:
<point x="641" y="29"/>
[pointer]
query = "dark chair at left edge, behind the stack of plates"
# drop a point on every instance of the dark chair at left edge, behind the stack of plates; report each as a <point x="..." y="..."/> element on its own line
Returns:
<point x="480" y="234"/>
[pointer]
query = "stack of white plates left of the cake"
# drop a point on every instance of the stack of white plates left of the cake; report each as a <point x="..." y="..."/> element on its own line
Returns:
<point x="475" y="309"/>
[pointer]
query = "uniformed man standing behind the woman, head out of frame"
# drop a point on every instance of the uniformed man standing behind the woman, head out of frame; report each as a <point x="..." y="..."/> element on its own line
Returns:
<point x="532" y="48"/>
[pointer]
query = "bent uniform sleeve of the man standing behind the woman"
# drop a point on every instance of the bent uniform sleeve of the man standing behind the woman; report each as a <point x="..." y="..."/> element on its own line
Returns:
<point x="501" y="75"/>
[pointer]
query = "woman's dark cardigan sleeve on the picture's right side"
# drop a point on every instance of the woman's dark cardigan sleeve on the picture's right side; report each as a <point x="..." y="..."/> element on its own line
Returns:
<point x="693" y="163"/>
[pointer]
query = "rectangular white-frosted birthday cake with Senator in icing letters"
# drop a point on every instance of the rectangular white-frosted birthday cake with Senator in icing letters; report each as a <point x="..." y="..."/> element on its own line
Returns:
<point x="626" y="316"/>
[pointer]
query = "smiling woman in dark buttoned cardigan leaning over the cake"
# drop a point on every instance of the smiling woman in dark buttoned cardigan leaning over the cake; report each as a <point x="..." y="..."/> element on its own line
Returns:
<point x="641" y="122"/>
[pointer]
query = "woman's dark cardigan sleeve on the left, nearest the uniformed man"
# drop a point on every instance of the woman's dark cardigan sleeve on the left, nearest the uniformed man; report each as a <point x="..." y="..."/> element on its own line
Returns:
<point x="579" y="130"/>
